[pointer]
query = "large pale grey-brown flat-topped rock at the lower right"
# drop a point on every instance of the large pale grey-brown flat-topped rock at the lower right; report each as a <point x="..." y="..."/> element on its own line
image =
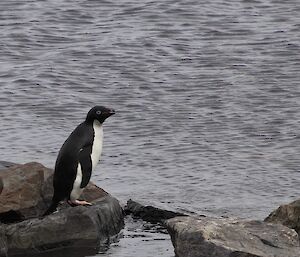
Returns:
<point x="212" y="237"/>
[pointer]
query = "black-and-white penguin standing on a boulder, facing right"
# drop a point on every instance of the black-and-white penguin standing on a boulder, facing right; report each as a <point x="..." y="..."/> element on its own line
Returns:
<point x="77" y="159"/>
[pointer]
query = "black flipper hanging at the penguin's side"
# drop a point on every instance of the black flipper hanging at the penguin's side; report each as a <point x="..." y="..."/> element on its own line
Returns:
<point x="86" y="165"/>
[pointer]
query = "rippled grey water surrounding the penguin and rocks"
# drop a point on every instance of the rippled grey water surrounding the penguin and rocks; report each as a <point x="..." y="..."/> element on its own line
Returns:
<point x="207" y="96"/>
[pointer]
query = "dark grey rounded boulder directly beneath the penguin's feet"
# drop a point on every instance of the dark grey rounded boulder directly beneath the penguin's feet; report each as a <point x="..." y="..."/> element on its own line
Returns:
<point x="79" y="227"/>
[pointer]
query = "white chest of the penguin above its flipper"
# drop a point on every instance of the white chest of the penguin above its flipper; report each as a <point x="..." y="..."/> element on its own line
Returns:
<point x="97" y="144"/>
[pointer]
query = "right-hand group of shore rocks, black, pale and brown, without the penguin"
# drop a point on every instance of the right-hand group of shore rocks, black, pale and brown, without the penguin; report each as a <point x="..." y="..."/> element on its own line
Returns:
<point x="200" y="236"/>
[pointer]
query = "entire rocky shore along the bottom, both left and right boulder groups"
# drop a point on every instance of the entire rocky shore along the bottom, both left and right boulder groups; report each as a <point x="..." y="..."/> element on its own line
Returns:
<point x="26" y="191"/>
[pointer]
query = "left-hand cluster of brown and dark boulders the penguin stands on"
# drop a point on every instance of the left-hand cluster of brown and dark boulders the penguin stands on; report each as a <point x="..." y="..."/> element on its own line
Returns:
<point x="27" y="193"/>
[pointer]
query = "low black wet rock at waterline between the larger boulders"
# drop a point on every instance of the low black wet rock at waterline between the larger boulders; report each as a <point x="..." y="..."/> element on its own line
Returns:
<point x="149" y="213"/>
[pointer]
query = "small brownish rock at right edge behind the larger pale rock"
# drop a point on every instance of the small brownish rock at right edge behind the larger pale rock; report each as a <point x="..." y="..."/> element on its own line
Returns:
<point x="288" y="215"/>
